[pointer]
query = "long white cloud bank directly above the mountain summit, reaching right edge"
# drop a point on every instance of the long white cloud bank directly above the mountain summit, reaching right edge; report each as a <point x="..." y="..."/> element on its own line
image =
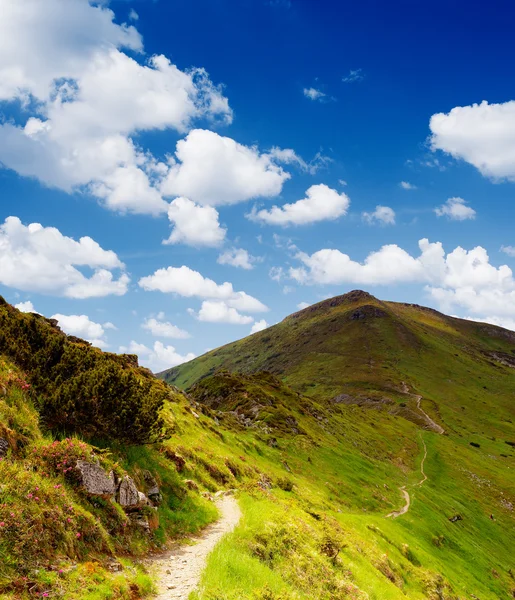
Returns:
<point x="462" y="278"/>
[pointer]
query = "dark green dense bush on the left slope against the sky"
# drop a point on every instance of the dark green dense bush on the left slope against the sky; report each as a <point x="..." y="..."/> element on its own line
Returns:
<point x="79" y="388"/>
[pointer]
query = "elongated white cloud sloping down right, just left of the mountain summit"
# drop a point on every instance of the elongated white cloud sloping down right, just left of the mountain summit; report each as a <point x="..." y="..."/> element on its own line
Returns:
<point x="191" y="284"/>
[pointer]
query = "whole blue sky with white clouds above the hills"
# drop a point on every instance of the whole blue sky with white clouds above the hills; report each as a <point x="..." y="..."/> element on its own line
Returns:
<point x="167" y="132"/>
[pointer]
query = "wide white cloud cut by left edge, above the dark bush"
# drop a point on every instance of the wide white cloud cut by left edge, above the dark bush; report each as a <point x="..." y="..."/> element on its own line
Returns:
<point x="41" y="259"/>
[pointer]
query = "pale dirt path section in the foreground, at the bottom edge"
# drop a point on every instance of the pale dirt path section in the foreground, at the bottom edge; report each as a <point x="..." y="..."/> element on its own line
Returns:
<point x="178" y="572"/>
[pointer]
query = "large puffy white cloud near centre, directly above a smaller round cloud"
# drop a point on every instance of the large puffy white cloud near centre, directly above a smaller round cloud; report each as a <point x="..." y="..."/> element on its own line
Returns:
<point x="214" y="170"/>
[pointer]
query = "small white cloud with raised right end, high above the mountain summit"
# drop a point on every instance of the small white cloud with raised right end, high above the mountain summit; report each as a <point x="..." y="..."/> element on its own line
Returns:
<point x="321" y="203"/>
